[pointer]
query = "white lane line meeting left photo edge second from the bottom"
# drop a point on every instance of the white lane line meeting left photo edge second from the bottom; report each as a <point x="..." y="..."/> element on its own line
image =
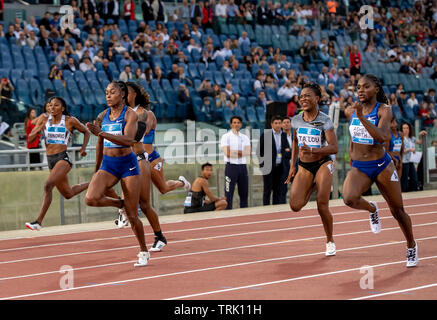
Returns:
<point x="205" y="252"/>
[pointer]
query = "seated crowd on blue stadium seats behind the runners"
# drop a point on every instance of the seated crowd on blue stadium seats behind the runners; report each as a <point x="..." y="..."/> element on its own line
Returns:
<point x="212" y="59"/>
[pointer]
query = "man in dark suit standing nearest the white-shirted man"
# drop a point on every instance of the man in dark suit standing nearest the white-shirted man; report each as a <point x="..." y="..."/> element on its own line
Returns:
<point x="271" y="160"/>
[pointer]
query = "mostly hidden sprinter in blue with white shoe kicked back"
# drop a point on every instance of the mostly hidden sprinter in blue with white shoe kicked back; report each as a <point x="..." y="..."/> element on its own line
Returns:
<point x="155" y="160"/>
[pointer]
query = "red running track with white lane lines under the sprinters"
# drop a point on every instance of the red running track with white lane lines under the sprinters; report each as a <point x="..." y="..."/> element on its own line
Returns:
<point x="277" y="255"/>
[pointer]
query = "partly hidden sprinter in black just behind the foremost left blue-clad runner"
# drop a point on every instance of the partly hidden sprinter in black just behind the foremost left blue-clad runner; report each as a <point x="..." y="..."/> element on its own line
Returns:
<point x="138" y="100"/>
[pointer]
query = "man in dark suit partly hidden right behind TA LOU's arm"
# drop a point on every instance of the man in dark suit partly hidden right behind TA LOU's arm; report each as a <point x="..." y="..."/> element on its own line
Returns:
<point x="286" y="145"/>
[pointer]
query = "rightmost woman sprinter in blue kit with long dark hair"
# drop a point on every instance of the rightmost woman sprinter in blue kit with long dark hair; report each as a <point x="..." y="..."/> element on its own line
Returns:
<point x="369" y="128"/>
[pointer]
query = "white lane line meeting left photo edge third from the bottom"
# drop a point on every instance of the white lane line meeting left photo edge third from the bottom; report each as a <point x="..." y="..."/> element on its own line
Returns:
<point x="205" y="238"/>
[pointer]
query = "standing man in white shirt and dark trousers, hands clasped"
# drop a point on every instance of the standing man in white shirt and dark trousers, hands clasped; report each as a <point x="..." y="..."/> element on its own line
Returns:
<point x="236" y="147"/>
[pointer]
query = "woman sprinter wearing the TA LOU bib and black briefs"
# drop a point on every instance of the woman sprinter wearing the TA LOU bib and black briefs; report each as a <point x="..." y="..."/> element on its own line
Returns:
<point x="314" y="141"/>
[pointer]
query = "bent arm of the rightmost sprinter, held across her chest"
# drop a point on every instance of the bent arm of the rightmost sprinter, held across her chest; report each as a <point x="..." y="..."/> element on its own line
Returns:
<point x="382" y="132"/>
